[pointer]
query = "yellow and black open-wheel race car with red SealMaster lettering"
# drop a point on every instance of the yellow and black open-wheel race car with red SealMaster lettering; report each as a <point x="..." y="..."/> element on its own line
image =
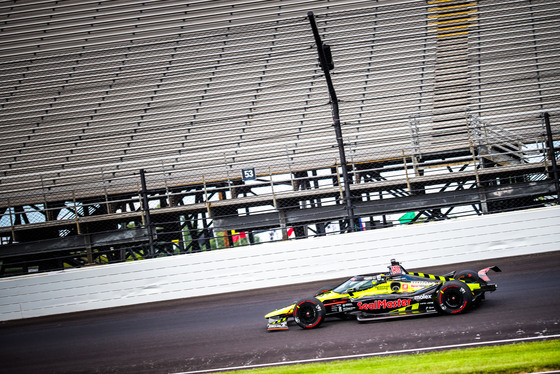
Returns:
<point x="396" y="293"/>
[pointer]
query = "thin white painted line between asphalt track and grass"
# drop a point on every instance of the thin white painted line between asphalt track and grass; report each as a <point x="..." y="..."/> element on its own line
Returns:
<point x="312" y="360"/>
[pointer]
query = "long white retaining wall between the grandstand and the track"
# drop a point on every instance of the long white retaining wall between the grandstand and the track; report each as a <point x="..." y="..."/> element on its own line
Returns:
<point x="280" y="263"/>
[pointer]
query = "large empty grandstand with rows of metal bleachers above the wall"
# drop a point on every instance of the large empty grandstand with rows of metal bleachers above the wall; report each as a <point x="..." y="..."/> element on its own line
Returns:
<point x="442" y="105"/>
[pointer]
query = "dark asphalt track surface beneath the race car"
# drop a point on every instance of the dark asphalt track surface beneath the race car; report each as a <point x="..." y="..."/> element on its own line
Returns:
<point x="230" y="331"/>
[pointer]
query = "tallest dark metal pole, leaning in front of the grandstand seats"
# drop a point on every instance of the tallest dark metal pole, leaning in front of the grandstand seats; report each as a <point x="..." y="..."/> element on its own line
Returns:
<point x="336" y="120"/>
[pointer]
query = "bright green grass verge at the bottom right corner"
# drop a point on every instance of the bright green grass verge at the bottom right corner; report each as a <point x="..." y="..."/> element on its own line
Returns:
<point x="511" y="358"/>
